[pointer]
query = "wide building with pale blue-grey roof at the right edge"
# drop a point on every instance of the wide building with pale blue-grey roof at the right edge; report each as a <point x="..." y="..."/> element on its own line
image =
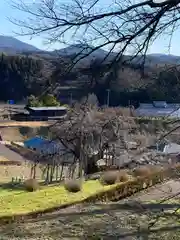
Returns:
<point x="158" y="109"/>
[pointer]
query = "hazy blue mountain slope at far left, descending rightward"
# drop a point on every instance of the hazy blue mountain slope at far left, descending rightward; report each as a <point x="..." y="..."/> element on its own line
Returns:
<point x="13" y="45"/>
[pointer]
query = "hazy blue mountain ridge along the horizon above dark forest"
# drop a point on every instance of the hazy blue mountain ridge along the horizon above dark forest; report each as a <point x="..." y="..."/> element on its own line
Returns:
<point x="11" y="45"/>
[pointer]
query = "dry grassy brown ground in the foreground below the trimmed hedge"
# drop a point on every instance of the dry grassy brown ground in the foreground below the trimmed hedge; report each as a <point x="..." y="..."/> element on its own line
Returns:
<point x="117" y="220"/>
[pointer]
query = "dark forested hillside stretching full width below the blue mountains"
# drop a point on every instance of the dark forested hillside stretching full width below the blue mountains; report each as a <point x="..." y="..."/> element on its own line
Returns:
<point x="21" y="76"/>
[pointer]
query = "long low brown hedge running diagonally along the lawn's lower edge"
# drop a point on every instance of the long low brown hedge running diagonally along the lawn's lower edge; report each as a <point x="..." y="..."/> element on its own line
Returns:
<point x="116" y="193"/>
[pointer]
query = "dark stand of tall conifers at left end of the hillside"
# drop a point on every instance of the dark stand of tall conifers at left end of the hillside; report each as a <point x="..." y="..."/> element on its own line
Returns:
<point x="20" y="76"/>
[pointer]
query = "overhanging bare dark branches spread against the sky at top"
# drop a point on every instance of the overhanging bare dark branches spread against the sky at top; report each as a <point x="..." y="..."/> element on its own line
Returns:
<point x="125" y="26"/>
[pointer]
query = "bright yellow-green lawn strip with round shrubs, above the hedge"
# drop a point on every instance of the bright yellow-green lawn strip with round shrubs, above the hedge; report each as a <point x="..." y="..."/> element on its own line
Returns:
<point x="20" y="202"/>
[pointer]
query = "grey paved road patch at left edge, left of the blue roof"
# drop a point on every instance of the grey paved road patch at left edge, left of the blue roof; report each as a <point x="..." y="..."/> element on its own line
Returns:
<point x="9" y="154"/>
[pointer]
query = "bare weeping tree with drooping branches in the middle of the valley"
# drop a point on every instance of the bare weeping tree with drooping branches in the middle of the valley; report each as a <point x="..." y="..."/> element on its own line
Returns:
<point x="88" y="132"/>
